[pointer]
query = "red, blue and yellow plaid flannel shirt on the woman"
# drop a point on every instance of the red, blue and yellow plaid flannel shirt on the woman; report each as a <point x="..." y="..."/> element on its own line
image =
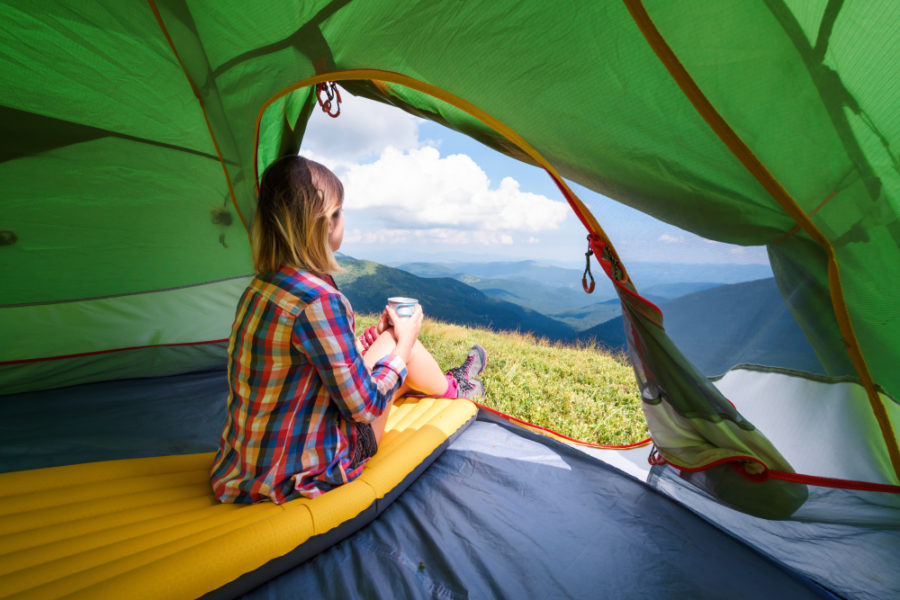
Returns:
<point x="296" y="382"/>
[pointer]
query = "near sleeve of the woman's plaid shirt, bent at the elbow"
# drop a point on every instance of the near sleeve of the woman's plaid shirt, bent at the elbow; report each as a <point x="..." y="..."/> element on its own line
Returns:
<point x="324" y="333"/>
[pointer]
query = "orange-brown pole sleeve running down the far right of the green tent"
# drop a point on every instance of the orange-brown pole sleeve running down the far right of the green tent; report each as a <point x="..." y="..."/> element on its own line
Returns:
<point x="752" y="163"/>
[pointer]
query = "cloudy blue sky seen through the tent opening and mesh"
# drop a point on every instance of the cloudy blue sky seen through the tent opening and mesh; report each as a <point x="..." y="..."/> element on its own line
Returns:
<point x="415" y="190"/>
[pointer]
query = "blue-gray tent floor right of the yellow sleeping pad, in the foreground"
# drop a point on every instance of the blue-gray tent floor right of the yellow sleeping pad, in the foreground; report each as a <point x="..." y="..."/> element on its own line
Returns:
<point x="505" y="514"/>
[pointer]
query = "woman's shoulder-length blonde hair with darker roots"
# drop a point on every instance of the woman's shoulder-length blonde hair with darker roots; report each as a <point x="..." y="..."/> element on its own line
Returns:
<point x="297" y="200"/>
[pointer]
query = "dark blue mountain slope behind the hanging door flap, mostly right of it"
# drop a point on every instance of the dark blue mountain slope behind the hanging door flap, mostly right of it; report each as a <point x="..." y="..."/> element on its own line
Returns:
<point x="728" y="325"/>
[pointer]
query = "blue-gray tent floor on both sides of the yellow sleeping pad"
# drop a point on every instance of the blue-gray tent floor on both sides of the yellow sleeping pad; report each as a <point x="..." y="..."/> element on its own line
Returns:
<point x="503" y="513"/>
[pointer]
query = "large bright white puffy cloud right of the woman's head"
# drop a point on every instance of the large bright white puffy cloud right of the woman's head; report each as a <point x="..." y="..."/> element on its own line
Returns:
<point x="420" y="189"/>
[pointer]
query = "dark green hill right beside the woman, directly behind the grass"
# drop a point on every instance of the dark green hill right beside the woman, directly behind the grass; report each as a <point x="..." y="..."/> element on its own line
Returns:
<point x="368" y="285"/>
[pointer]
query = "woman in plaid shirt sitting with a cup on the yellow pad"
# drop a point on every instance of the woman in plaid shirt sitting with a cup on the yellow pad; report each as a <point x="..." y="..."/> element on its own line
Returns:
<point x="308" y="400"/>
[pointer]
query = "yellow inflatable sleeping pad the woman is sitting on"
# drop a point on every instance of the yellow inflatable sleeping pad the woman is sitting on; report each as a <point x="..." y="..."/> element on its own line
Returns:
<point x="151" y="527"/>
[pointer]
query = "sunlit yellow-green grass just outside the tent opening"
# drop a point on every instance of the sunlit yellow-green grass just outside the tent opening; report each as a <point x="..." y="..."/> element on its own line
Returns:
<point x="580" y="392"/>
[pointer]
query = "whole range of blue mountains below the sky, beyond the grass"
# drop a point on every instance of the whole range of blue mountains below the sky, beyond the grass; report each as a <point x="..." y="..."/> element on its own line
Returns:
<point x="716" y="323"/>
